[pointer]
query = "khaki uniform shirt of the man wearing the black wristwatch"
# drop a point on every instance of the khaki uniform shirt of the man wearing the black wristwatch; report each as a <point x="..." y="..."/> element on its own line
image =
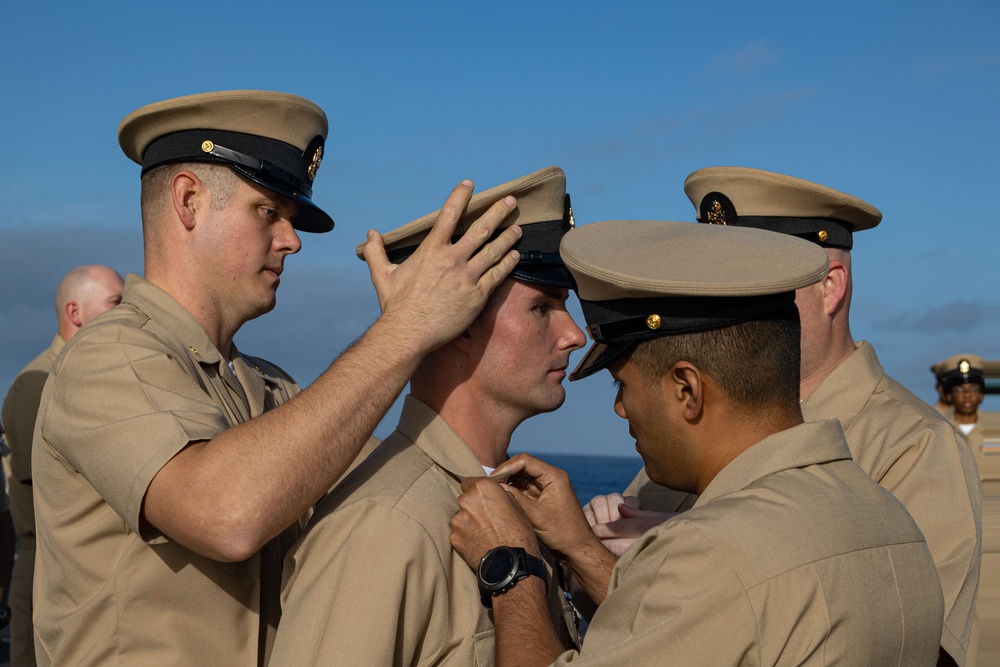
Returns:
<point x="792" y="556"/>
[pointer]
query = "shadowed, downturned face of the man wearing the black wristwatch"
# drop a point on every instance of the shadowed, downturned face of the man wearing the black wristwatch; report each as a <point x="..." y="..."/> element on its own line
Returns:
<point x="641" y="401"/>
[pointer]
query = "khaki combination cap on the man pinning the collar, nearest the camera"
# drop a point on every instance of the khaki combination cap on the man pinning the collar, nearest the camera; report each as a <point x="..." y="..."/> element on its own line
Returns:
<point x="640" y="279"/>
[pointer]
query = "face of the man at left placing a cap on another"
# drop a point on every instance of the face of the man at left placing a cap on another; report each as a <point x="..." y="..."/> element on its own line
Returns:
<point x="245" y="247"/>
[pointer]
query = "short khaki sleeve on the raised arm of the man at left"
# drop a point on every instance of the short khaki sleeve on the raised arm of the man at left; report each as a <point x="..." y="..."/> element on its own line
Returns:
<point x="117" y="412"/>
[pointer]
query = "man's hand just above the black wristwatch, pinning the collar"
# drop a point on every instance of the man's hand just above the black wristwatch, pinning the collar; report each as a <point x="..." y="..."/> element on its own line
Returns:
<point x="488" y="517"/>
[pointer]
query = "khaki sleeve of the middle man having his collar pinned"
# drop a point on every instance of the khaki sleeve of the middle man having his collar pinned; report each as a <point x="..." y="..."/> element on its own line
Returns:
<point x="365" y="587"/>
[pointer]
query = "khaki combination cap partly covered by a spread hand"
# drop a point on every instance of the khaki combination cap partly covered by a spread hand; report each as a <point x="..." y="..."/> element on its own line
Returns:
<point x="543" y="212"/>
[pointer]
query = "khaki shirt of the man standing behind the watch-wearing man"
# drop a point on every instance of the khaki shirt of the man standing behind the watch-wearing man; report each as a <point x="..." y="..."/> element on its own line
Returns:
<point x="909" y="449"/>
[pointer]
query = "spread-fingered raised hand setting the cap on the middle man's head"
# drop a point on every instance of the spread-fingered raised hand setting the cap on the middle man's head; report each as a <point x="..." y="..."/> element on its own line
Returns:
<point x="439" y="290"/>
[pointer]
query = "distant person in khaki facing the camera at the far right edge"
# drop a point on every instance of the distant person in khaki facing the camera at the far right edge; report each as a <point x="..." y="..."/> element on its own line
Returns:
<point x="964" y="382"/>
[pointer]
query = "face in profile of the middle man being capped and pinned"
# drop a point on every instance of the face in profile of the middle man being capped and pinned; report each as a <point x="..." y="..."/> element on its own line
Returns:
<point x="521" y="345"/>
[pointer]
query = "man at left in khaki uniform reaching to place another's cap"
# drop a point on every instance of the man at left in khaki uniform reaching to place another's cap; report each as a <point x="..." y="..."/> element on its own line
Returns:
<point x="170" y="468"/>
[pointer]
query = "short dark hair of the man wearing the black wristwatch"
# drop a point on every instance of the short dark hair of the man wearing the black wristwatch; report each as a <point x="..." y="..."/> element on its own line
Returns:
<point x="756" y="363"/>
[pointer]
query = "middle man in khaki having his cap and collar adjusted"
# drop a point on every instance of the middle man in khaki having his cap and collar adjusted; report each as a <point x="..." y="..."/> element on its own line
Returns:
<point x="374" y="581"/>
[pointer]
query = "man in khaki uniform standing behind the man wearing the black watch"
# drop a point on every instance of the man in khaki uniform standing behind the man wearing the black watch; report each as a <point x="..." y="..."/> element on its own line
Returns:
<point x="895" y="437"/>
